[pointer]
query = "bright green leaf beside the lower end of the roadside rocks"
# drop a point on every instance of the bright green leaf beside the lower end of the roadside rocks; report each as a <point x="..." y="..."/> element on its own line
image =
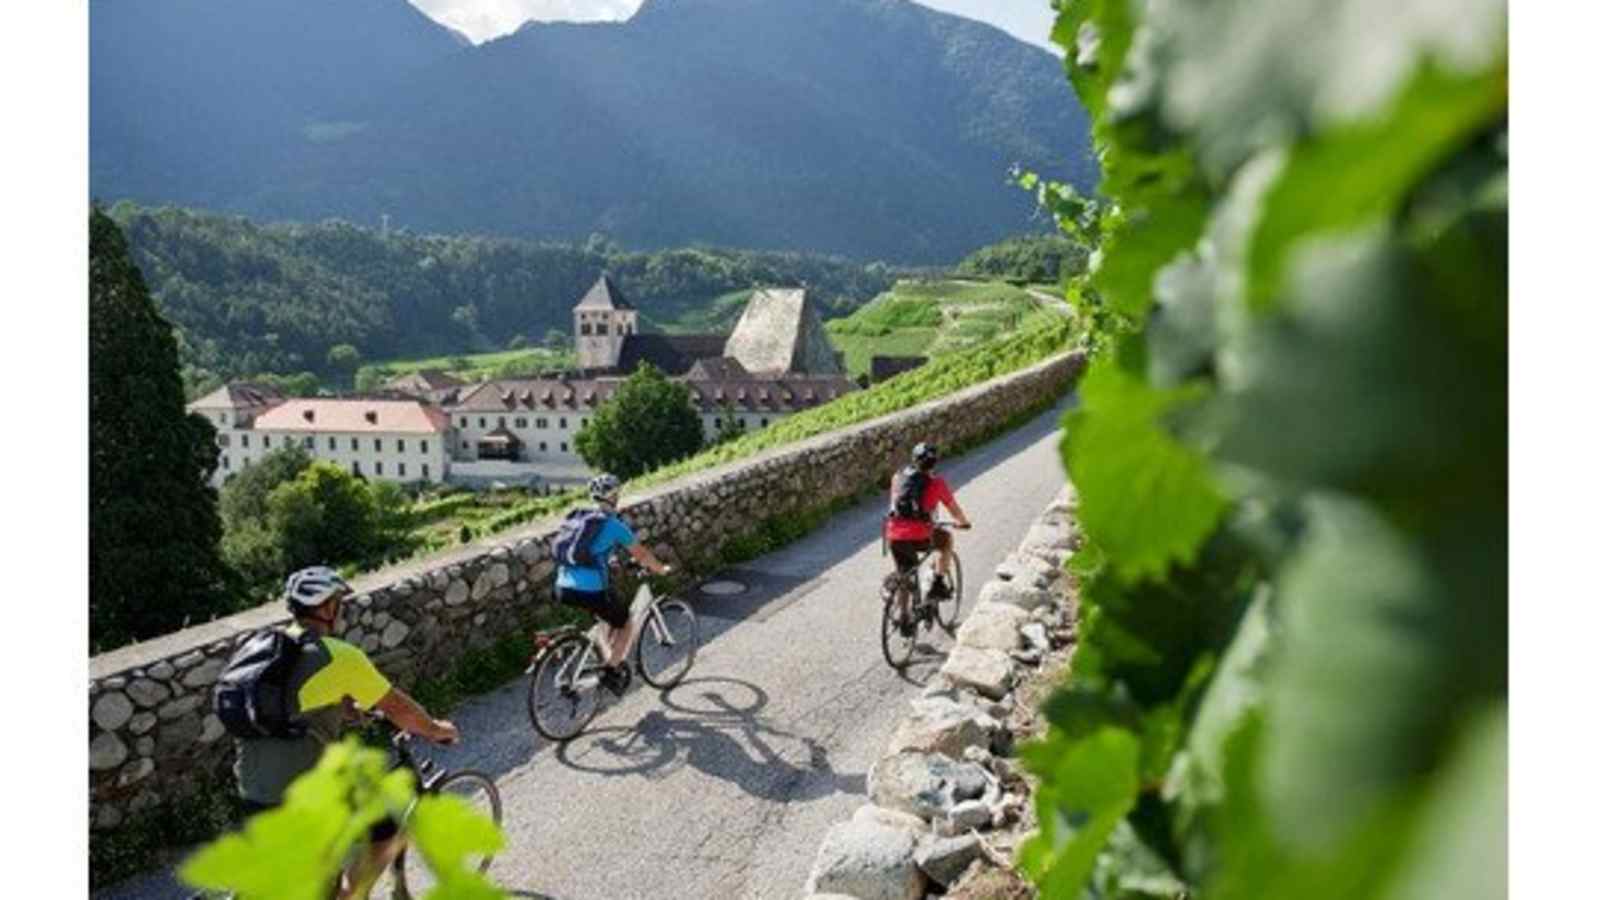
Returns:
<point x="1086" y="792"/>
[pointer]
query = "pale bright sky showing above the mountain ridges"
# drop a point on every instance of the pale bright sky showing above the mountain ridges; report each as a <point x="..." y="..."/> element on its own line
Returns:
<point x="484" y="20"/>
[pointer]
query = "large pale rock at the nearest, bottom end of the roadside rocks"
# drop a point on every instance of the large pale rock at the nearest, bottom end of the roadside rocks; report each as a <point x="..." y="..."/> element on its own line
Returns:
<point x="870" y="862"/>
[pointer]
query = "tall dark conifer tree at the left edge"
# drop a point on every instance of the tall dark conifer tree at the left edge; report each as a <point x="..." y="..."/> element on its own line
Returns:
<point x="154" y="528"/>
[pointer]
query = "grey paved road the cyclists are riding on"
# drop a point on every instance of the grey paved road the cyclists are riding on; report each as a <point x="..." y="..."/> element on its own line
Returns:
<point x="724" y="785"/>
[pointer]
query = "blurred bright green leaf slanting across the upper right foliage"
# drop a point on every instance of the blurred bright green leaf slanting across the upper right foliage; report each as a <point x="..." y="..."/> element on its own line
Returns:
<point x="1322" y="191"/>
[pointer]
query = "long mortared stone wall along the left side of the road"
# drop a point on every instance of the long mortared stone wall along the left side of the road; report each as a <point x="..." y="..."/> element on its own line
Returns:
<point x="153" y="739"/>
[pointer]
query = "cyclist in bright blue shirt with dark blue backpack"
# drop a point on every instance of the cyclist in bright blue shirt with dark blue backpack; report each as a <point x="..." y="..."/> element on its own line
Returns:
<point x="590" y="587"/>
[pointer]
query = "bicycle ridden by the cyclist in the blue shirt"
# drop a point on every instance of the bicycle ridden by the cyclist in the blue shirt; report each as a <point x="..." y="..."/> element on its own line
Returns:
<point x="564" y="693"/>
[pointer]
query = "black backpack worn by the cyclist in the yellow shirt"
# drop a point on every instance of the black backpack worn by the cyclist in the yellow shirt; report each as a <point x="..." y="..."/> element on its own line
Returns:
<point x="252" y="696"/>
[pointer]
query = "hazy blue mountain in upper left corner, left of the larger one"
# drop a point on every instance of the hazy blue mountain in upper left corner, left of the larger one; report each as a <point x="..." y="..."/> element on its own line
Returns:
<point x="210" y="102"/>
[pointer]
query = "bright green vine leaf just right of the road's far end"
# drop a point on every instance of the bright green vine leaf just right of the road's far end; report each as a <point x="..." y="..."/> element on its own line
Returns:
<point x="1145" y="499"/>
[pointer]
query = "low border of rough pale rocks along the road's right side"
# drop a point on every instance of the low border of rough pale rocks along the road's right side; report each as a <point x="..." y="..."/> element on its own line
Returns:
<point x="946" y="787"/>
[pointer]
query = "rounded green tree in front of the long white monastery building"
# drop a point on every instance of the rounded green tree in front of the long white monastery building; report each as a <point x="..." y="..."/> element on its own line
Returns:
<point x="647" y="424"/>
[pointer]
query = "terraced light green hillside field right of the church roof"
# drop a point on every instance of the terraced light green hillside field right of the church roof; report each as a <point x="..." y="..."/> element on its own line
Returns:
<point x="930" y="318"/>
